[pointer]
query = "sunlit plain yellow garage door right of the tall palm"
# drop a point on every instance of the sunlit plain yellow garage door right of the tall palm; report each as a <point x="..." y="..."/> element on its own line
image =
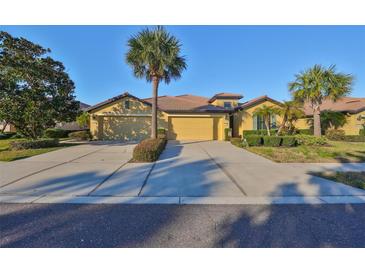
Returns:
<point x="187" y="128"/>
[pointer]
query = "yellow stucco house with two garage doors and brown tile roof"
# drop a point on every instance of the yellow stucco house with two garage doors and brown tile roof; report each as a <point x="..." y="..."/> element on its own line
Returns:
<point x="185" y="117"/>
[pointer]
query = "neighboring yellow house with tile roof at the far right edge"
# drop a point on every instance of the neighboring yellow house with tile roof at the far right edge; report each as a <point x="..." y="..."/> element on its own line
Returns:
<point x="354" y="108"/>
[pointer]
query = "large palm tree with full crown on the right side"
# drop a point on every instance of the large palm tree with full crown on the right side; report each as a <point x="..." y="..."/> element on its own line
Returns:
<point x="319" y="83"/>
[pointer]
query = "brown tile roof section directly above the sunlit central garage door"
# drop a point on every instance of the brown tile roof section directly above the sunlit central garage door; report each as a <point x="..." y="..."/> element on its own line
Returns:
<point x="186" y="102"/>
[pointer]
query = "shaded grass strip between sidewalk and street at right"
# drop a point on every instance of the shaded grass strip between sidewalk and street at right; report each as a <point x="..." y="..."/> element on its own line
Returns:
<point x="355" y="179"/>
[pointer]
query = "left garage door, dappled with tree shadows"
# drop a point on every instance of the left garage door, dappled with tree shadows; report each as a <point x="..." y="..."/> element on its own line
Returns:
<point x="126" y="128"/>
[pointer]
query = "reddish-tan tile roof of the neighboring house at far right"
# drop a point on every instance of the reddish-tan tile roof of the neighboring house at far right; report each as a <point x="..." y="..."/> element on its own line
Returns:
<point x="345" y="104"/>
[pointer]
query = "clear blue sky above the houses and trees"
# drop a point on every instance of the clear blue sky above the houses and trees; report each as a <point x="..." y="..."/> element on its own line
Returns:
<point x="251" y="60"/>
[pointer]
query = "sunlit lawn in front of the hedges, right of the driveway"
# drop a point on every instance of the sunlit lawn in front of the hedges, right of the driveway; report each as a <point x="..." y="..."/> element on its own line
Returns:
<point x="343" y="152"/>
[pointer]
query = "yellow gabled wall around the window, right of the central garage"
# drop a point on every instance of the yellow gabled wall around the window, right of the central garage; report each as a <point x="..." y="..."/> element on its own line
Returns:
<point x="243" y="120"/>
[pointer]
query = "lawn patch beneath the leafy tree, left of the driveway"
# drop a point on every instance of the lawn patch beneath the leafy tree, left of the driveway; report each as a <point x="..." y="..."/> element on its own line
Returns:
<point x="11" y="155"/>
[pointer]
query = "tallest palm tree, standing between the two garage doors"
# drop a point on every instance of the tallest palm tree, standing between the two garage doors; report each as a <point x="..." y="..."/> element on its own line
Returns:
<point x="155" y="56"/>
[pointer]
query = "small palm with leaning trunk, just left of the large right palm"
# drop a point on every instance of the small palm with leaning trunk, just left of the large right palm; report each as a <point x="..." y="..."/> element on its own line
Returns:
<point x="290" y="111"/>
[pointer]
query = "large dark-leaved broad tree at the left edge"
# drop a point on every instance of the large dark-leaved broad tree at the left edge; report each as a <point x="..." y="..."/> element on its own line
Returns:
<point x="35" y="90"/>
